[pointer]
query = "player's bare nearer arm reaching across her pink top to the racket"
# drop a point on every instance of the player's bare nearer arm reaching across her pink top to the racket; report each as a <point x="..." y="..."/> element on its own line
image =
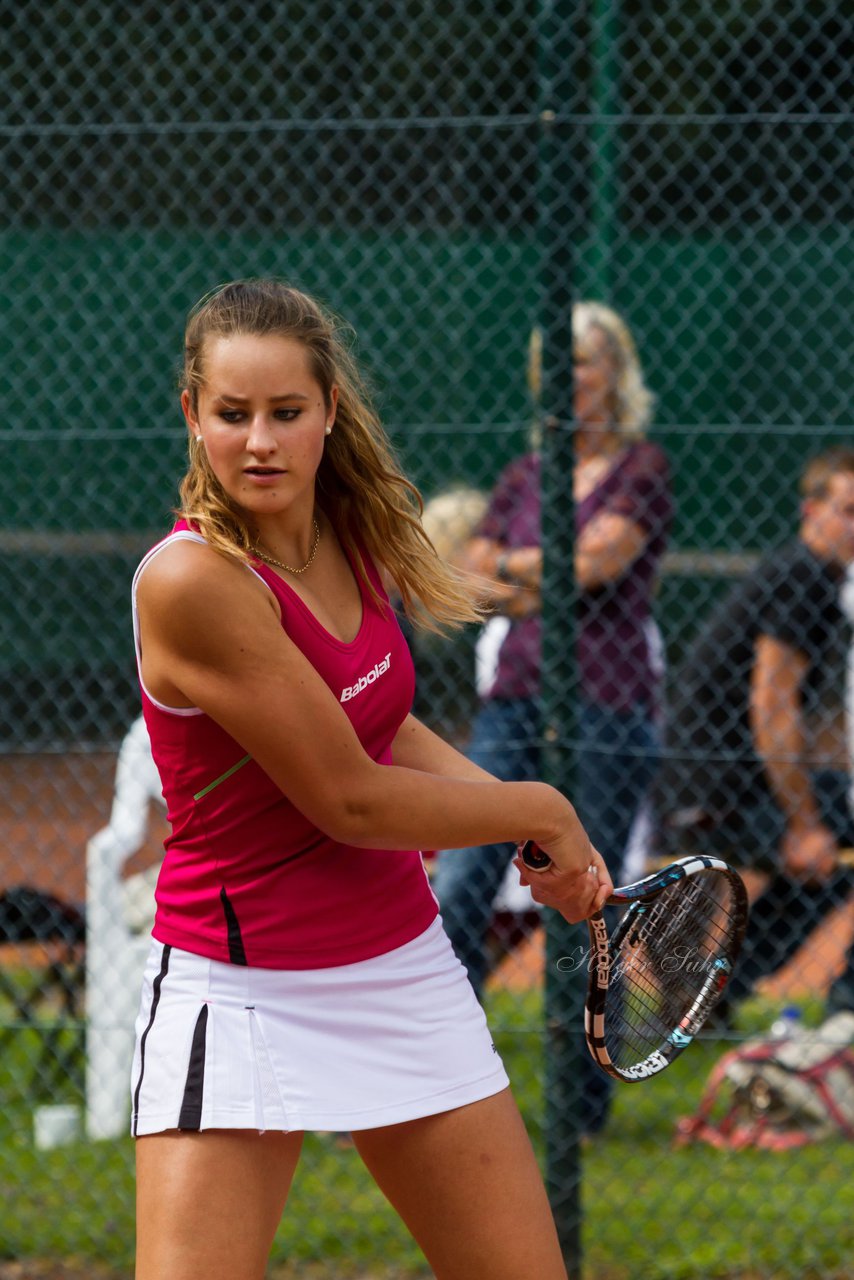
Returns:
<point x="211" y="636"/>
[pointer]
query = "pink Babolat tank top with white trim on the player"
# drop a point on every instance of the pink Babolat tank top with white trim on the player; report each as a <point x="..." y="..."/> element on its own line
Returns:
<point x="248" y="879"/>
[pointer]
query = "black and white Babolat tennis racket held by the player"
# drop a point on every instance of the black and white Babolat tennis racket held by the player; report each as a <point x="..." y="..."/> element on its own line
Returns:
<point x="656" y="980"/>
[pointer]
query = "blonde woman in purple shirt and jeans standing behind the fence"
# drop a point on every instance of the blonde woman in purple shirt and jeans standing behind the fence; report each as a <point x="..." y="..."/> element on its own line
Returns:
<point x="623" y="514"/>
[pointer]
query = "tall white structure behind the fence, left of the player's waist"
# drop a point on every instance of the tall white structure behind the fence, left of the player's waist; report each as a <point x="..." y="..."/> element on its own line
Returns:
<point x="120" y="915"/>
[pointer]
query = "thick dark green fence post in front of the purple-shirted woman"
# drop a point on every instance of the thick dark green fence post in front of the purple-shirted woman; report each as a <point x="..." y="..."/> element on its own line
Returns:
<point x="564" y="1003"/>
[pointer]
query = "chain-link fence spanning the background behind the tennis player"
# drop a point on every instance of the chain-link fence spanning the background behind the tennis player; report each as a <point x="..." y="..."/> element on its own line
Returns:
<point x="441" y="175"/>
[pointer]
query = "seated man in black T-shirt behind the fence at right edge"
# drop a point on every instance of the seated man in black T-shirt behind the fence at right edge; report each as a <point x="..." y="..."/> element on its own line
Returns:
<point x="755" y="765"/>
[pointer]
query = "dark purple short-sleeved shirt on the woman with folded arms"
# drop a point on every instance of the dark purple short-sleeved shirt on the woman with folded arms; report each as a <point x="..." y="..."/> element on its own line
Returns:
<point x="616" y="660"/>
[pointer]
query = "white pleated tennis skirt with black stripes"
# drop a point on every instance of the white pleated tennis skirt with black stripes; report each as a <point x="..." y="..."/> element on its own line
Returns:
<point x="359" y="1046"/>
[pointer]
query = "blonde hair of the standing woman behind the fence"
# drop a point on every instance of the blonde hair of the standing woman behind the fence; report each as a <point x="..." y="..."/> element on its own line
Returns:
<point x="633" y="400"/>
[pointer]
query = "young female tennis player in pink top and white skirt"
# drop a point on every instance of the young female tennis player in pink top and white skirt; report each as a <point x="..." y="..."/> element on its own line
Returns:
<point x="300" y="976"/>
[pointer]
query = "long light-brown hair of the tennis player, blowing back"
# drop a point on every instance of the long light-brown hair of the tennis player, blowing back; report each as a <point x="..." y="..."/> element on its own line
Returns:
<point x="360" y="484"/>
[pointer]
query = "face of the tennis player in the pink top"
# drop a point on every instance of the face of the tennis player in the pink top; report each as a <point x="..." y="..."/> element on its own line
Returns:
<point x="263" y="419"/>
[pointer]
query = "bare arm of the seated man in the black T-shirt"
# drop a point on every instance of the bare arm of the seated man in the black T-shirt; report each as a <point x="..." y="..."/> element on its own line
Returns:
<point x="779" y="734"/>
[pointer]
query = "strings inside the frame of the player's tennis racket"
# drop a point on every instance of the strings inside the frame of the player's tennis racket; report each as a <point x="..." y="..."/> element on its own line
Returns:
<point x="670" y="962"/>
